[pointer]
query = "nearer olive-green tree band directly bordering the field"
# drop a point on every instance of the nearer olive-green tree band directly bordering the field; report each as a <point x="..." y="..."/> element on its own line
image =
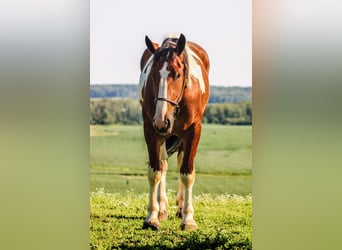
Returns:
<point x="128" y="111"/>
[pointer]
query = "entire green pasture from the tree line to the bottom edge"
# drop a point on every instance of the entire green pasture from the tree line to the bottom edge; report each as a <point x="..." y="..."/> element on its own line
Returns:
<point x="119" y="187"/>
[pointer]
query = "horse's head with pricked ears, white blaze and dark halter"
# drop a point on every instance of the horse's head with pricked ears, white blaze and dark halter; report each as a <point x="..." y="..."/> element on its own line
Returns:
<point x="168" y="77"/>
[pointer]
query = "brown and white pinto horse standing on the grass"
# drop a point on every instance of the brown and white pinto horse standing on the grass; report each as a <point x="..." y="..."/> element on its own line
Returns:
<point x="174" y="95"/>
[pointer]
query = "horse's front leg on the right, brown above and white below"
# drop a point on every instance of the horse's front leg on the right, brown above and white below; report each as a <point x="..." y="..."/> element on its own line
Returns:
<point x="187" y="176"/>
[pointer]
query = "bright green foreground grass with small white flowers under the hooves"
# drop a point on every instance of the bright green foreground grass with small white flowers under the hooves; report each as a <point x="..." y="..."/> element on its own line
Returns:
<point x="224" y="222"/>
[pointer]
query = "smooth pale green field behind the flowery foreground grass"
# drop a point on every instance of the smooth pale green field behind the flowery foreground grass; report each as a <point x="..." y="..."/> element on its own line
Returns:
<point x="118" y="160"/>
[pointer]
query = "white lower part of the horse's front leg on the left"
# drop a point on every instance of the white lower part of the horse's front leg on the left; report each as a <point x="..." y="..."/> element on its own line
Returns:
<point x="154" y="178"/>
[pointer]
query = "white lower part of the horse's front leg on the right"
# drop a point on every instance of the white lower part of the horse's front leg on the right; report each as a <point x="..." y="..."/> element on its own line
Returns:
<point x="188" y="222"/>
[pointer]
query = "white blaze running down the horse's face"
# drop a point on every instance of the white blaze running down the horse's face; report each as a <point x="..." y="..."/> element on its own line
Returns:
<point x="161" y="108"/>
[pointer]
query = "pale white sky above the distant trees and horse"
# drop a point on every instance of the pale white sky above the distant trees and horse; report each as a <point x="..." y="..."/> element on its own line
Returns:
<point x="222" y="27"/>
